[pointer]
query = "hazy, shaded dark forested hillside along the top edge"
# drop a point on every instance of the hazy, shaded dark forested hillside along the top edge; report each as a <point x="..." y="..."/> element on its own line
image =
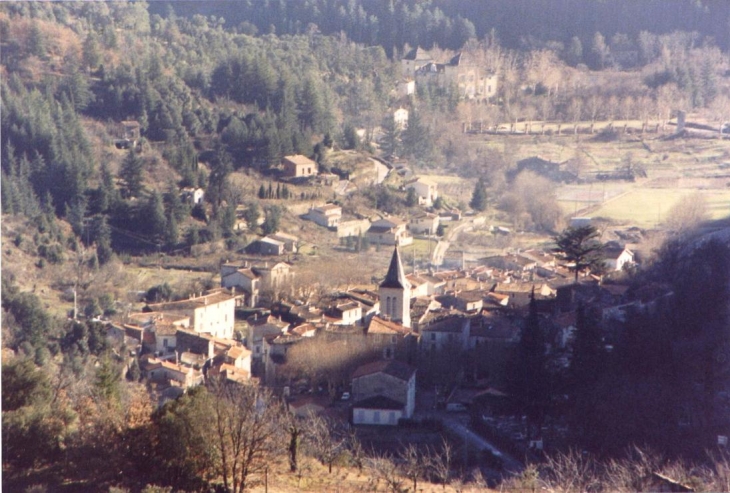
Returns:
<point x="450" y="23"/>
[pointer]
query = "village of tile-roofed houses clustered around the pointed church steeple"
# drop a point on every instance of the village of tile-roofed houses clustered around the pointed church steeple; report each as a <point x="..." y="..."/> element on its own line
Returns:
<point x="427" y="341"/>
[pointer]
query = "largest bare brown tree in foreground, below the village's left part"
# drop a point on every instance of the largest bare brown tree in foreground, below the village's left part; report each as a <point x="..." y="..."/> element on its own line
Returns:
<point x="247" y="432"/>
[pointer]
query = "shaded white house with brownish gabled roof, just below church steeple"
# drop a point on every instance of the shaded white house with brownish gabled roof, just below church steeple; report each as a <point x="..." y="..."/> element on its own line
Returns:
<point x="383" y="392"/>
